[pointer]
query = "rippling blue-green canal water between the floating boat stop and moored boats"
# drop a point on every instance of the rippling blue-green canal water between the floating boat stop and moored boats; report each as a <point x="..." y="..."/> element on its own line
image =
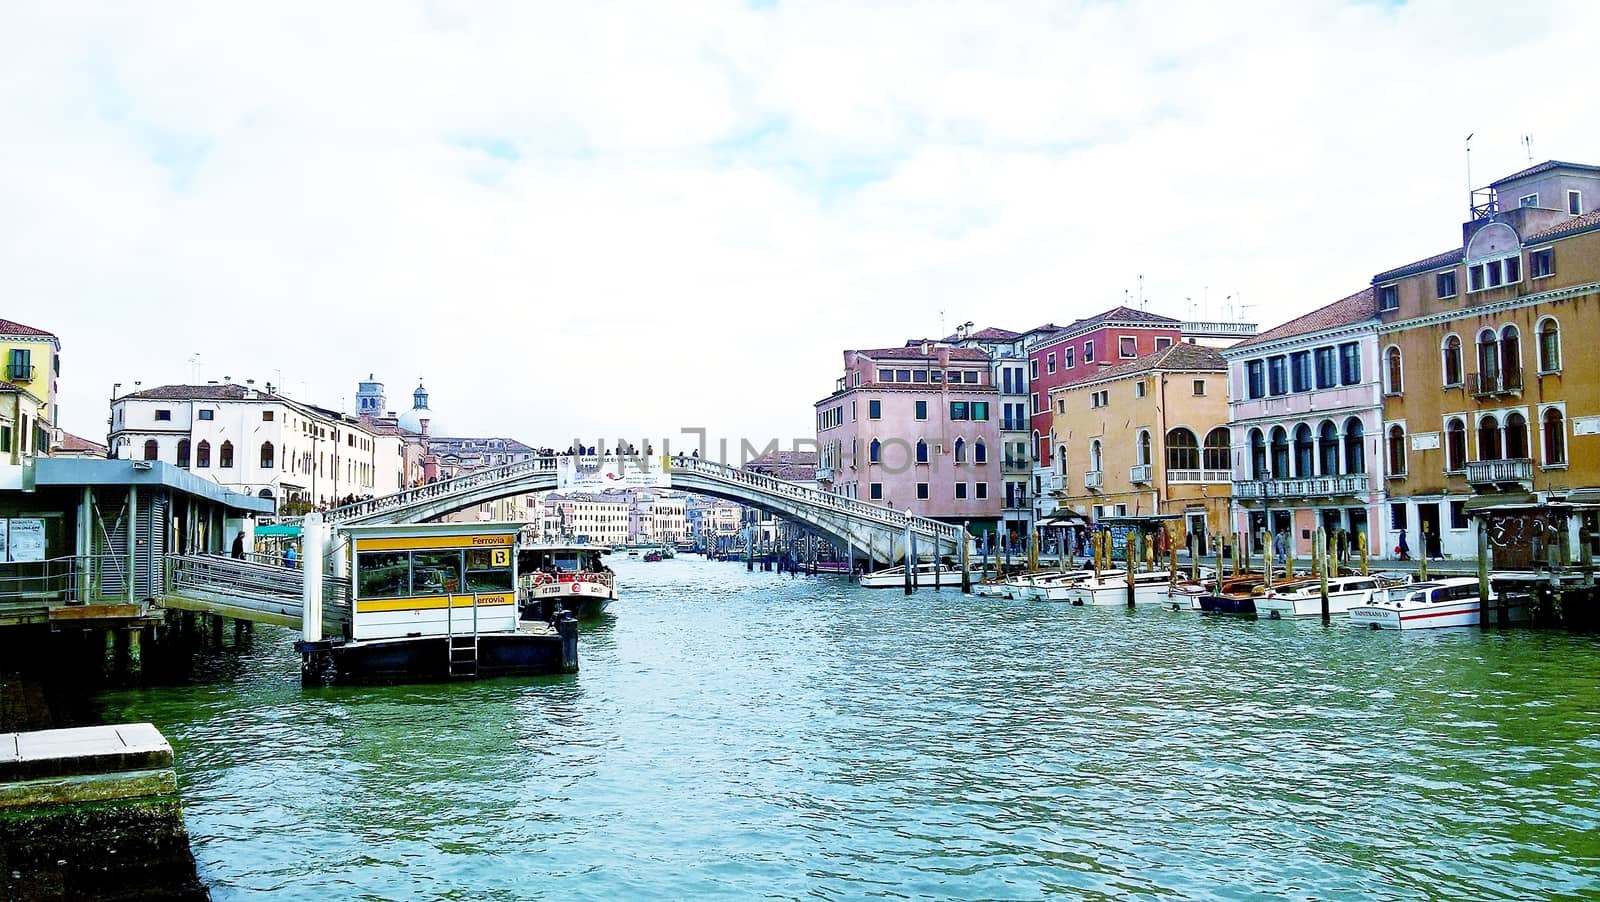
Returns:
<point x="748" y="735"/>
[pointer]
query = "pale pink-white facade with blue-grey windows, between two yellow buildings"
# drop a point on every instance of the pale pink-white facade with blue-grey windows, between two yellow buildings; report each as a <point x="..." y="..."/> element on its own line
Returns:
<point x="1306" y="412"/>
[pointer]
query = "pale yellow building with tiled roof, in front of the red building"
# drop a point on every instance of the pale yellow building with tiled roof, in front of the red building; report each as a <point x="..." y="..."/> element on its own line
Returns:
<point x="1148" y="439"/>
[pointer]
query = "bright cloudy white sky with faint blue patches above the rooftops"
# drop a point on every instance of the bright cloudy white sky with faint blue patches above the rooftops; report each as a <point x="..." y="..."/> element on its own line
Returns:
<point x="636" y="220"/>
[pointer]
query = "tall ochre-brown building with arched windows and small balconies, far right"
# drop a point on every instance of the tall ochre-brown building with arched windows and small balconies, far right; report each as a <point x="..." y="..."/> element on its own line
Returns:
<point x="1487" y="389"/>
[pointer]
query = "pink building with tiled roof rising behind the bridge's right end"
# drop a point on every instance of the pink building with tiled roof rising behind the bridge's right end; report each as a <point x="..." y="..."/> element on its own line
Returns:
<point x="916" y="428"/>
